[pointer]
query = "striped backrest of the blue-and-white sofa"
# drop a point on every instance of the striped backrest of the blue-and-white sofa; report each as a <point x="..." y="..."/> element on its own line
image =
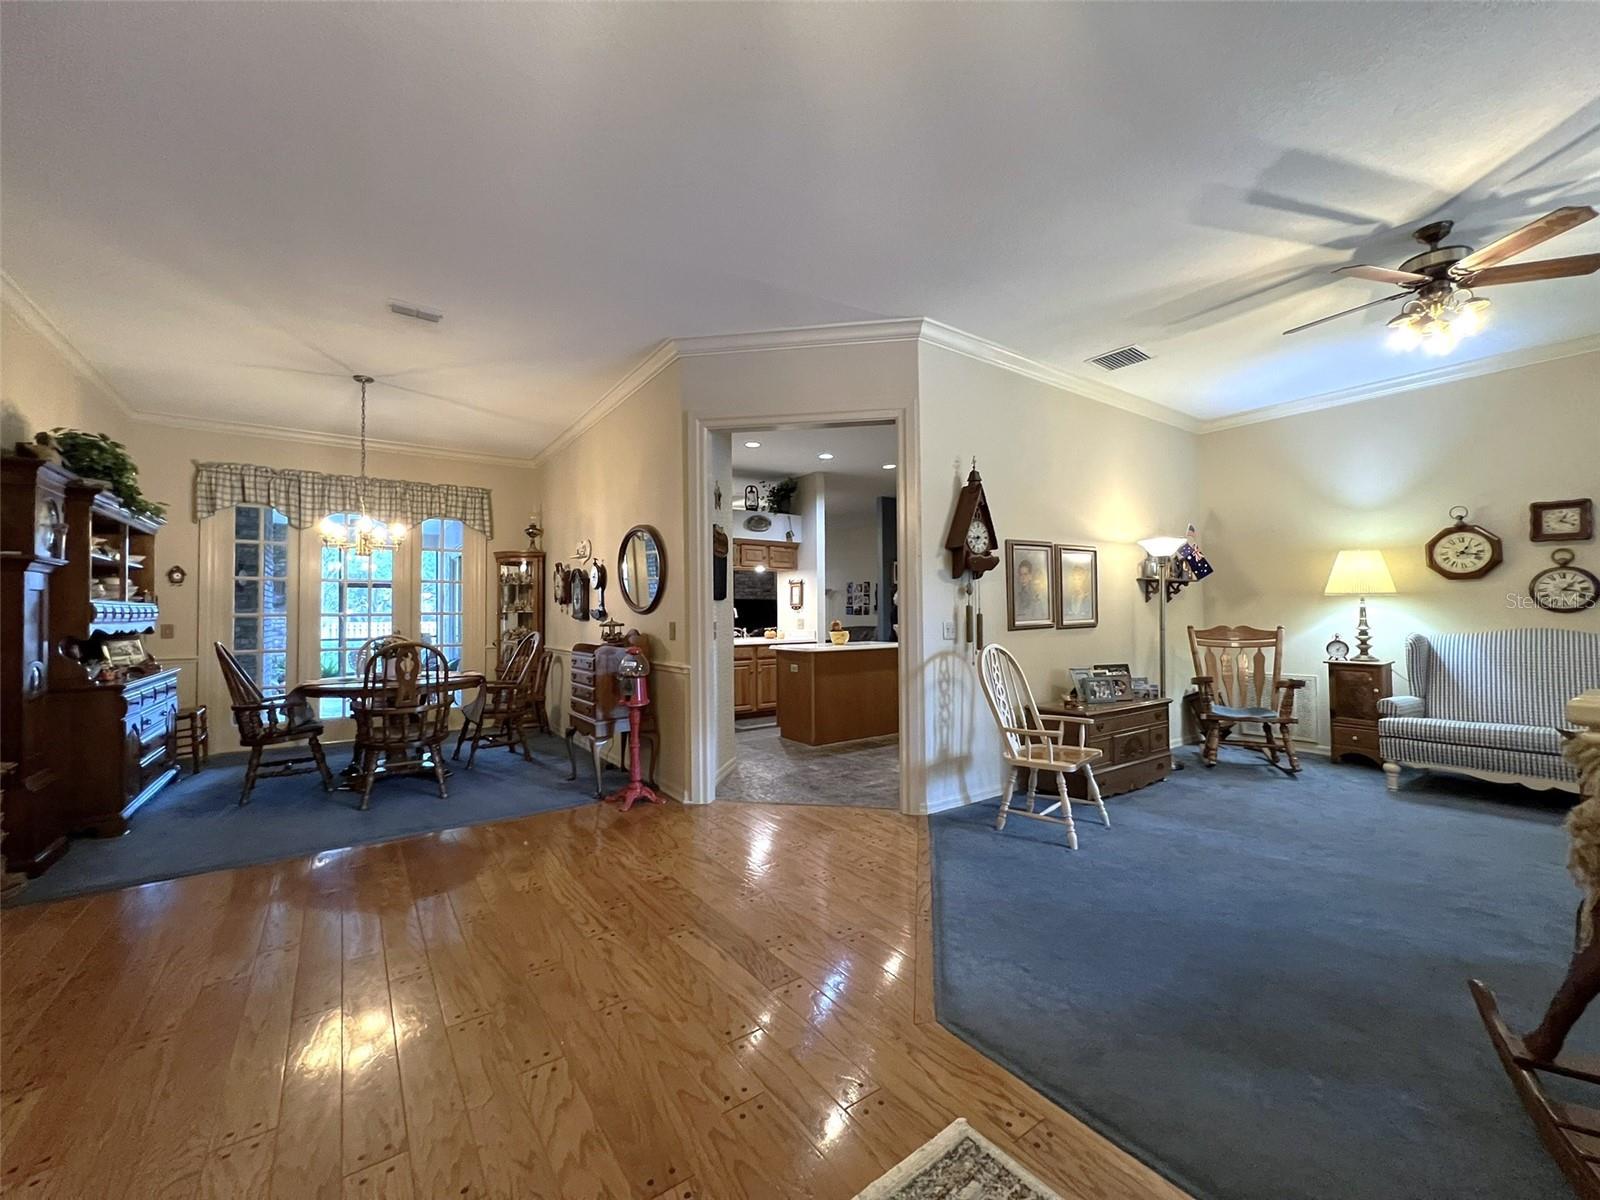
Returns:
<point x="1503" y="676"/>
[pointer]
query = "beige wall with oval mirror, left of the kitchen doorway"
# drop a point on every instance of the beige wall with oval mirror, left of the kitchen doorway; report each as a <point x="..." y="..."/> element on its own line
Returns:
<point x="626" y="471"/>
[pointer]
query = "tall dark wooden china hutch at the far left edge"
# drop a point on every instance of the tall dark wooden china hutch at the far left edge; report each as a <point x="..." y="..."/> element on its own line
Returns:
<point x="87" y="714"/>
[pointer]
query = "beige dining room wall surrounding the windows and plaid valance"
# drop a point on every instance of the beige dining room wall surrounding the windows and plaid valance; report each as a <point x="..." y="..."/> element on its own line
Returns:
<point x="42" y="390"/>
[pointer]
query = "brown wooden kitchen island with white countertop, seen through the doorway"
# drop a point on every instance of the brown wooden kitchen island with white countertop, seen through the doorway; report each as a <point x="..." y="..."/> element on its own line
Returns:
<point x="831" y="694"/>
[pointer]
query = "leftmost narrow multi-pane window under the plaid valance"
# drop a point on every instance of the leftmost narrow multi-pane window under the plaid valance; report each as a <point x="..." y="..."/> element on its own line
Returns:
<point x="260" y="626"/>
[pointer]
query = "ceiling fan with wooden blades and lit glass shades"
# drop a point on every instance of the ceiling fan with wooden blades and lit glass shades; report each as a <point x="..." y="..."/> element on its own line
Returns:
<point x="1439" y="284"/>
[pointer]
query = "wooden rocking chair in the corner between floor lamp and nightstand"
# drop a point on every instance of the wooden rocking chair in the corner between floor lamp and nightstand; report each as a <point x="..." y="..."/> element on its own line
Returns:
<point x="1242" y="686"/>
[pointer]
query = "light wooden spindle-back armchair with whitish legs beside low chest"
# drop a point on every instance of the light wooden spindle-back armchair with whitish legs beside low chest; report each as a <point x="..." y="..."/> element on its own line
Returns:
<point x="1031" y="745"/>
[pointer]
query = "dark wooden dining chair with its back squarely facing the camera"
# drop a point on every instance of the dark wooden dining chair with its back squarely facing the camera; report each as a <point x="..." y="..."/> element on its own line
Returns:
<point x="402" y="716"/>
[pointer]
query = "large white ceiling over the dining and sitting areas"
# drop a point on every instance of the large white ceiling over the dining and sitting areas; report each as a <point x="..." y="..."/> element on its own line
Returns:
<point x="215" y="202"/>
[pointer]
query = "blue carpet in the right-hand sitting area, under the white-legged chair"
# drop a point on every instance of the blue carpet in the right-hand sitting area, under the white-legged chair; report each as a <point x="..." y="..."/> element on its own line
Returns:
<point x="1257" y="985"/>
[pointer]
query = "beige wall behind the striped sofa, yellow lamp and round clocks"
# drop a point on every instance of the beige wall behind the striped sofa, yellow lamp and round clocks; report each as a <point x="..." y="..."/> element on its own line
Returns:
<point x="1281" y="498"/>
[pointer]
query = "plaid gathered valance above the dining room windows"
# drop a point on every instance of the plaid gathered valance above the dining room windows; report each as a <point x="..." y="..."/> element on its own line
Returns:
<point x="306" y="497"/>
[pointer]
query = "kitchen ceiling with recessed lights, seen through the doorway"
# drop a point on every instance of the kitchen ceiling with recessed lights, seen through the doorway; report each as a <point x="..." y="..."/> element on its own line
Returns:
<point x="854" y="479"/>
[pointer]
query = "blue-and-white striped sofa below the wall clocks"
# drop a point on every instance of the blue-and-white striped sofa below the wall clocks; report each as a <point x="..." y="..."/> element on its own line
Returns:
<point x="1489" y="705"/>
